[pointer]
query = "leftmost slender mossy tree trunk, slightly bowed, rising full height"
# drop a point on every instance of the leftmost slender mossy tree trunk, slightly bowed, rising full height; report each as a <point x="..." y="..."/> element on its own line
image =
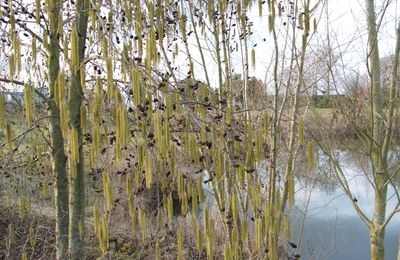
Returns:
<point x="59" y="158"/>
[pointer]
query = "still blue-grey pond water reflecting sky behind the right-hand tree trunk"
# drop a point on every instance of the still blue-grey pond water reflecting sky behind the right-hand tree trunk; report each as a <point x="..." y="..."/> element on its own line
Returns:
<point x="332" y="228"/>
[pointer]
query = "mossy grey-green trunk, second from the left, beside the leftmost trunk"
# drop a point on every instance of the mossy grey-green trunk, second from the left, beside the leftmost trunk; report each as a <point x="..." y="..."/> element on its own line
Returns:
<point x="77" y="176"/>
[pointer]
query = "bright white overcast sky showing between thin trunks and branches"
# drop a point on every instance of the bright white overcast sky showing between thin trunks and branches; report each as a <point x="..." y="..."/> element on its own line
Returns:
<point x="347" y="27"/>
